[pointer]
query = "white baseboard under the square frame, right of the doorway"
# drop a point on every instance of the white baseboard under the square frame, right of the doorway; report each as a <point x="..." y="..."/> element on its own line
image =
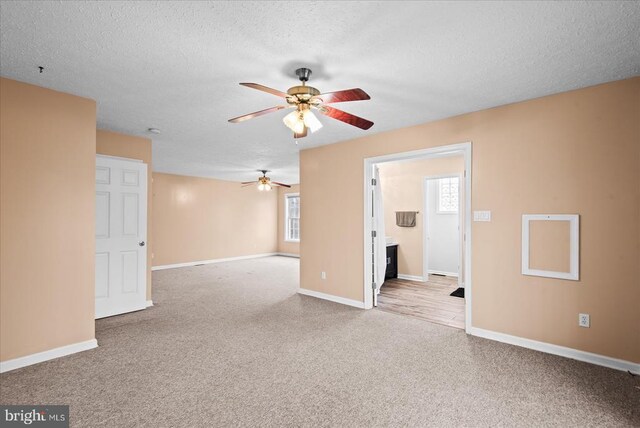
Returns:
<point x="562" y="351"/>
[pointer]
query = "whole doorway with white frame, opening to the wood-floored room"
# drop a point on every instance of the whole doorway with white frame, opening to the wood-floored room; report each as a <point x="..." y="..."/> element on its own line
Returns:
<point x="417" y="234"/>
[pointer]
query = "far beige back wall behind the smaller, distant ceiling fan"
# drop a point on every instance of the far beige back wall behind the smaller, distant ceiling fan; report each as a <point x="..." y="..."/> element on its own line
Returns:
<point x="202" y="219"/>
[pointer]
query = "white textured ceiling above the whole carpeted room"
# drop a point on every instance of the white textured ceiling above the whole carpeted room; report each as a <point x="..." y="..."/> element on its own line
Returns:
<point x="176" y="65"/>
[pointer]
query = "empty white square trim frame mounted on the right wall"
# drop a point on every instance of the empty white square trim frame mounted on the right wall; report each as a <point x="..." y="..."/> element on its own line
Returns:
<point x="574" y="246"/>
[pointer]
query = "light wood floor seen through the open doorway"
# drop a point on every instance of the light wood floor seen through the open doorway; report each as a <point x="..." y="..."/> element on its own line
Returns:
<point x="429" y="301"/>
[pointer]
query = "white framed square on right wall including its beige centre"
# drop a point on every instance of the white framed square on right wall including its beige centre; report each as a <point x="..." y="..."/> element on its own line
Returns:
<point x="553" y="246"/>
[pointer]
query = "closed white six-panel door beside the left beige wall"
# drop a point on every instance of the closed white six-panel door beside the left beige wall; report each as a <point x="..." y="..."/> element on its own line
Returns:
<point x="121" y="234"/>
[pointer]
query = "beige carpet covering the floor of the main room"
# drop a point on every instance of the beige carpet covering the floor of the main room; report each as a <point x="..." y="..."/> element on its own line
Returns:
<point x="232" y="344"/>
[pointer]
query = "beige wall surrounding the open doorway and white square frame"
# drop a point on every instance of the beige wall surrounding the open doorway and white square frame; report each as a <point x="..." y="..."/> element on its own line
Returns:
<point x="575" y="152"/>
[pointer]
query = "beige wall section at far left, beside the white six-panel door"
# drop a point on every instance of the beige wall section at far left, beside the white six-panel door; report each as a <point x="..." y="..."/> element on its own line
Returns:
<point x="47" y="204"/>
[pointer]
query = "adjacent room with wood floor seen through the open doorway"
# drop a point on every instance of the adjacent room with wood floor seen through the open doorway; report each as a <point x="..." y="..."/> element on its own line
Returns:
<point x="423" y="232"/>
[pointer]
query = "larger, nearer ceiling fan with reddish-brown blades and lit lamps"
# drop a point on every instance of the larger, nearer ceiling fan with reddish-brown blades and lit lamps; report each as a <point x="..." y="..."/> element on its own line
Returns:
<point x="305" y="98"/>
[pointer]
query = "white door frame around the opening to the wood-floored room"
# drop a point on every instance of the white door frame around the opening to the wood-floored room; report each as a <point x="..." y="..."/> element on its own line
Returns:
<point x="463" y="149"/>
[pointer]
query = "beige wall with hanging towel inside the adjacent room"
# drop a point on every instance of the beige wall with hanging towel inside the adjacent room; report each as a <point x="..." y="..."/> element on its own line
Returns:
<point x="403" y="190"/>
